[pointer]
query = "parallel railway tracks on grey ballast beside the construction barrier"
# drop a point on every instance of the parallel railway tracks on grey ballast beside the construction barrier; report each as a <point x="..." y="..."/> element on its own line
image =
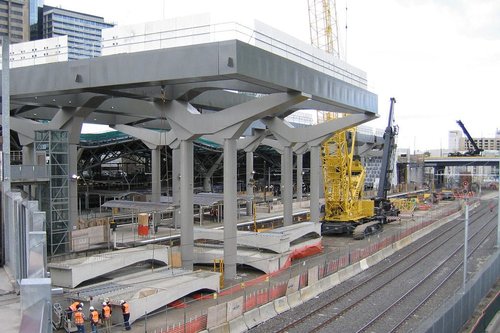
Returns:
<point x="342" y="312"/>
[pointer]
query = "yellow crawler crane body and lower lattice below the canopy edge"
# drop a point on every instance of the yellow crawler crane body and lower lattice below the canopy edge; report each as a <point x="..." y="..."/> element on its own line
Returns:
<point x="344" y="178"/>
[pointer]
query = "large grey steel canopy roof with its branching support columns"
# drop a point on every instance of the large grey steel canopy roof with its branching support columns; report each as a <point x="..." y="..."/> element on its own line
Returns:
<point x="215" y="89"/>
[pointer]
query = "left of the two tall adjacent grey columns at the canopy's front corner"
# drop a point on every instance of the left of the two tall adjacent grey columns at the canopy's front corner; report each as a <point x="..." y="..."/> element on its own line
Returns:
<point x="186" y="198"/>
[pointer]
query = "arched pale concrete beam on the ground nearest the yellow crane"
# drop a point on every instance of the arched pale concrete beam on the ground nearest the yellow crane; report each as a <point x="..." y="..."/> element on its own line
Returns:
<point x="278" y="240"/>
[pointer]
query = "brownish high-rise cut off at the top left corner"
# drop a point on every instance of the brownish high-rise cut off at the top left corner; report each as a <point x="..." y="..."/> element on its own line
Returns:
<point x="13" y="15"/>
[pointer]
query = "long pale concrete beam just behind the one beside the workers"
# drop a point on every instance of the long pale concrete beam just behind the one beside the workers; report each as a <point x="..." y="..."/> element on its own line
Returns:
<point x="70" y="273"/>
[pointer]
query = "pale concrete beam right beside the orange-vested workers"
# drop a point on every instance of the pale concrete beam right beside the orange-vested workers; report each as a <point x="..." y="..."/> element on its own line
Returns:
<point x="148" y="292"/>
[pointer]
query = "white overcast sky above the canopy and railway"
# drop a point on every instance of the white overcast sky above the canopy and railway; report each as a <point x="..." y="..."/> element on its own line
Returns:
<point x="440" y="59"/>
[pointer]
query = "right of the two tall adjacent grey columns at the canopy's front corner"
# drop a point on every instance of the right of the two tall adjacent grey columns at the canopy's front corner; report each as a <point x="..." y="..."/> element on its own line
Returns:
<point x="230" y="214"/>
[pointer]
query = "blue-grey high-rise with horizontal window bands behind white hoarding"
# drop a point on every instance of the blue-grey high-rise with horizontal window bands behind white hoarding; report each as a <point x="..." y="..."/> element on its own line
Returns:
<point x="84" y="31"/>
